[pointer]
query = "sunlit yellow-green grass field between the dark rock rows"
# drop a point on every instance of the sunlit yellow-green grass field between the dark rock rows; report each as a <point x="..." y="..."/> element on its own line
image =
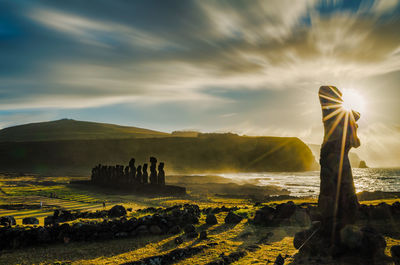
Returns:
<point x="31" y="190"/>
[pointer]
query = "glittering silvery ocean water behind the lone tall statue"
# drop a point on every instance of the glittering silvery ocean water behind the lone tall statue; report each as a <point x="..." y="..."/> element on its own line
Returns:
<point x="307" y="183"/>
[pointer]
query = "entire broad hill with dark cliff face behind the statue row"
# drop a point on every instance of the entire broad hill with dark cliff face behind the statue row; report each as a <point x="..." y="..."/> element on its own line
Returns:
<point x="75" y="150"/>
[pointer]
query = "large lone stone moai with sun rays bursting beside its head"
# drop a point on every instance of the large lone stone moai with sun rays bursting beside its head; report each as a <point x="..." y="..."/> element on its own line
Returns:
<point x="337" y="200"/>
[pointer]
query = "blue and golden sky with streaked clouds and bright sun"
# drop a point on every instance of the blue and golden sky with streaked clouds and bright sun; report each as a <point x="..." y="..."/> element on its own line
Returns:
<point x="248" y="67"/>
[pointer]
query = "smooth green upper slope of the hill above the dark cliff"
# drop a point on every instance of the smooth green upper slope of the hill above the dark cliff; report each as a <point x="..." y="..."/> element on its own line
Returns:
<point x="67" y="129"/>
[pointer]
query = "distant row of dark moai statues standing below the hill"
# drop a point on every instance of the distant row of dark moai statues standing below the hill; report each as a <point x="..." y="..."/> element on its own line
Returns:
<point x="130" y="174"/>
